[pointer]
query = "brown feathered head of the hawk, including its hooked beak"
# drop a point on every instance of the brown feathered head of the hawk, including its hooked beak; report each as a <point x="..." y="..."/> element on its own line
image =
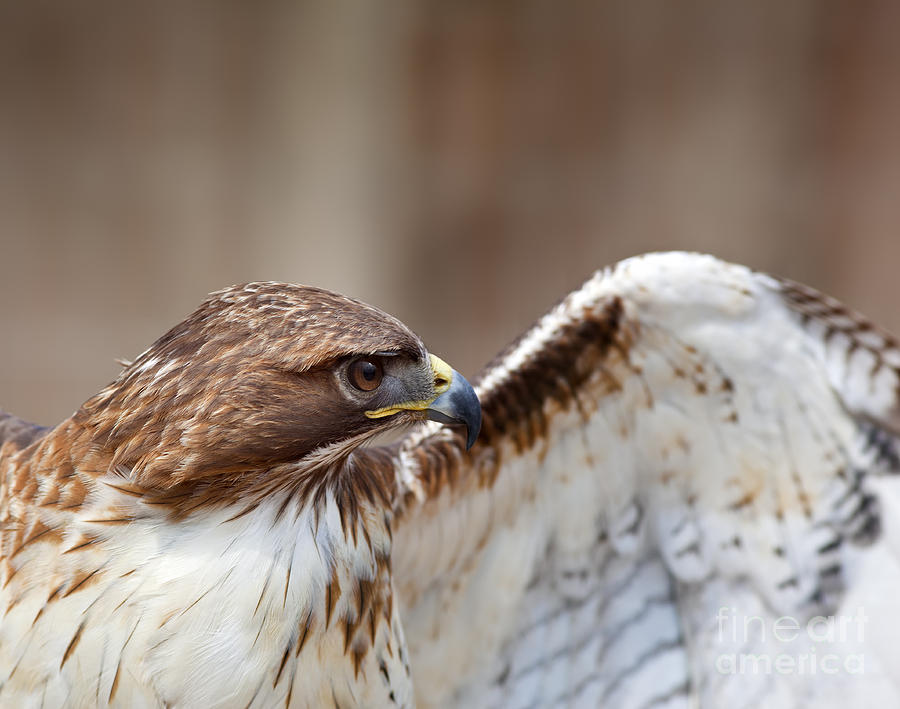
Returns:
<point x="264" y="374"/>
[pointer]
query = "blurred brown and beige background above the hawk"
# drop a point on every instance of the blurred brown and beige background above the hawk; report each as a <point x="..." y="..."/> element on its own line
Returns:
<point x="461" y="164"/>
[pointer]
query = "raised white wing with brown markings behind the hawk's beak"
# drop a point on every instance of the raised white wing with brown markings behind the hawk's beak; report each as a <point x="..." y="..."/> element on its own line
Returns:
<point x="675" y="500"/>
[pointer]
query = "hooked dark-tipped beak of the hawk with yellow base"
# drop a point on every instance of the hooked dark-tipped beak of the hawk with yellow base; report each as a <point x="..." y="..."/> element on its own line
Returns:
<point x="455" y="401"/>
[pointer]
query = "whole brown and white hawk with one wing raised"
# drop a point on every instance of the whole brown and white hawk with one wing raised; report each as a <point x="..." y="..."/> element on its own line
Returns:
<point x="670" y="495"/>
